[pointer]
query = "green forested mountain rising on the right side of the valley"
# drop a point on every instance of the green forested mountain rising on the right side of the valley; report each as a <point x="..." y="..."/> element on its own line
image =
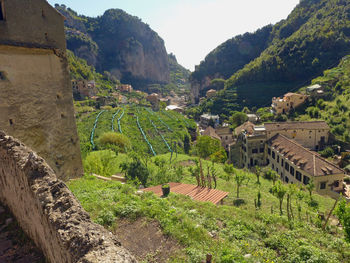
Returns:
<point x="314" y="37"/>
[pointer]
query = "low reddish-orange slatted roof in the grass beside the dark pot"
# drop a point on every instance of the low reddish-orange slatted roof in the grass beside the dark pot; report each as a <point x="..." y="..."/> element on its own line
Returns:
<point x="203" y="194"/>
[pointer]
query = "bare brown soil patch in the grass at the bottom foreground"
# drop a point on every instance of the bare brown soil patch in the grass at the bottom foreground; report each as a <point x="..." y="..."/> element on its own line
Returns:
<point x="146" y="241"/>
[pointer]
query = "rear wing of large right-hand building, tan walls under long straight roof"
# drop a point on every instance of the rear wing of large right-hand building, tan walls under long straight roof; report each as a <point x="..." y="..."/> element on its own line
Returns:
<point x="311" y="134"/>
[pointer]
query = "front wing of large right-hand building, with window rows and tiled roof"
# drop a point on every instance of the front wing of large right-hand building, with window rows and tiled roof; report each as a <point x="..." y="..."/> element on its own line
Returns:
<point x="298" y="165"/>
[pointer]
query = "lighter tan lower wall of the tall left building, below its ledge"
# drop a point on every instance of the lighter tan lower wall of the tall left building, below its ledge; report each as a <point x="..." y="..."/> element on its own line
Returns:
<point x="36" y="106"/>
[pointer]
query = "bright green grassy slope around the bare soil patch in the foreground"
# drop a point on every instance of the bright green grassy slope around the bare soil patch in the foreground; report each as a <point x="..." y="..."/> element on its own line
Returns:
<point x="237" y="230"/>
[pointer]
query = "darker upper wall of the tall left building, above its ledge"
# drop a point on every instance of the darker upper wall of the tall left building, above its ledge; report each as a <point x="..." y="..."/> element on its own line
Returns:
<point x="32" y="23"/>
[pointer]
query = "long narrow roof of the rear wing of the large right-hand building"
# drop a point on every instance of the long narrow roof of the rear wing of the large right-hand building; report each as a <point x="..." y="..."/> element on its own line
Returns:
<point x="310" y="125"/>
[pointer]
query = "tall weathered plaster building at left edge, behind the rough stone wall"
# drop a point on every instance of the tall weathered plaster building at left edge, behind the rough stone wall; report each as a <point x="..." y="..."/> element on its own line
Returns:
<point x="36" y="104"/>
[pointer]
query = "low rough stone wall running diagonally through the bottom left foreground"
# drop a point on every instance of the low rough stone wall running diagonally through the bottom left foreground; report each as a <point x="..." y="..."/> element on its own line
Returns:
<point x="49" y="213"/>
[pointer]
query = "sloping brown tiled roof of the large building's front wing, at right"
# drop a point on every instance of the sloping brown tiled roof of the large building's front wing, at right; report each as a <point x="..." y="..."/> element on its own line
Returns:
<point x="308" y="161"/>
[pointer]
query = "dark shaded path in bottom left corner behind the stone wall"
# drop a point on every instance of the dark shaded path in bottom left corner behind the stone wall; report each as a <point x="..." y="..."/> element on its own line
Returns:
<point x="15" y="246"/>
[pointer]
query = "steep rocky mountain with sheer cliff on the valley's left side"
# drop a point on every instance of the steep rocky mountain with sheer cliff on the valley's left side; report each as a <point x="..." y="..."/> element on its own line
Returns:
<point x="120" y="44"/>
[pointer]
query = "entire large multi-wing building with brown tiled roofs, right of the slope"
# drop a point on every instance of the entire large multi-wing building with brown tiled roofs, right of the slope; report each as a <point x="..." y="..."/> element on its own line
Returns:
<point x="286" y="148"/>
